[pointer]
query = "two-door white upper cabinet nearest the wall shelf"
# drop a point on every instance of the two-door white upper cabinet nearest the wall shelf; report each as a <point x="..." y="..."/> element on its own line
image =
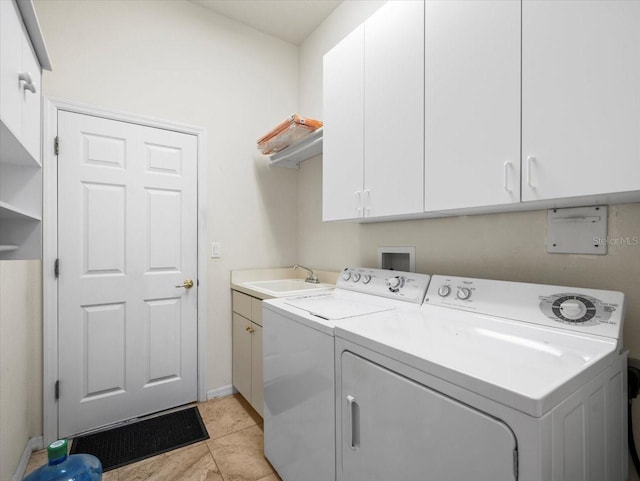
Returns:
<point x="373" y="162"/>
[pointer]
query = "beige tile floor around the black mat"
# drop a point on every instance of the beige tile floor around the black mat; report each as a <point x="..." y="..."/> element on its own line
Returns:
<point x="233" y="452"/>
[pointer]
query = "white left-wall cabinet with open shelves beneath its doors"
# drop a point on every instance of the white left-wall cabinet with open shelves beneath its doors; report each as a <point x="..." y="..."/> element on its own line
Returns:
<point x="20" y="130"/>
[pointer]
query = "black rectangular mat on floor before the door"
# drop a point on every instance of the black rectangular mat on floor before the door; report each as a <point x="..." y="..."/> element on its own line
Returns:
<point x="142" y="439"/>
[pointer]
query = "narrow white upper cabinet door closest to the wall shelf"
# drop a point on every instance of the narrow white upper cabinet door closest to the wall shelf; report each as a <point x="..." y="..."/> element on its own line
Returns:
<point x="343" y="144"/>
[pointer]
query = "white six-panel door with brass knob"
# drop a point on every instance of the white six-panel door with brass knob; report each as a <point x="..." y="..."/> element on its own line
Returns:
<point x="127" y="237"/>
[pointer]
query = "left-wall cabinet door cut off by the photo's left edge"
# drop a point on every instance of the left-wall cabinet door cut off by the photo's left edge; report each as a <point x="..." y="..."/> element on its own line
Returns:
<point x="11" y="39"/>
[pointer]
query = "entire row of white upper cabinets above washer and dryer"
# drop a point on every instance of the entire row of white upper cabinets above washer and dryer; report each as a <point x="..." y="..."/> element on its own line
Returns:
<point x="521" y="104"/>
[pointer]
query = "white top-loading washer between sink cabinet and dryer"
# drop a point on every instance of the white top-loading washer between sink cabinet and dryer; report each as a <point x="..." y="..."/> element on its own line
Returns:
<point x="298" y="366"/>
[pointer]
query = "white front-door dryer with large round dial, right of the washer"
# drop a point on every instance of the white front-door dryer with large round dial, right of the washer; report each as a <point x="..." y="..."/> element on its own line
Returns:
<point x="490" y="381"/>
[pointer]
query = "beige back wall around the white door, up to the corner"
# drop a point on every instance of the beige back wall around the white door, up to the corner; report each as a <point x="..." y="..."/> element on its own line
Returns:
<point x="180" y="62"/>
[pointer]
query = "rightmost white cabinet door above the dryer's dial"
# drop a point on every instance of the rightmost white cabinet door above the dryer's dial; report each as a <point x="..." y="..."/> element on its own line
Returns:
<point x="580" y="98"/>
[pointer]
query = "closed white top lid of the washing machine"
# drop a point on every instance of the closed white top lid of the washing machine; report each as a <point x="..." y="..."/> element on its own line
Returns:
<point x="333" y="308"/>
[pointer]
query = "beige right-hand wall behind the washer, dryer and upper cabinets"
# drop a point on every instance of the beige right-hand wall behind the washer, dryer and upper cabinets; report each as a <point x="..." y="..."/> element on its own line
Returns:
<point x="499" y="246"/>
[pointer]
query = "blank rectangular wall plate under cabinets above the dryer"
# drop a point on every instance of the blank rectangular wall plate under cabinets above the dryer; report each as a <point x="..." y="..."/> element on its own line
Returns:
<point x="579" y="230"/>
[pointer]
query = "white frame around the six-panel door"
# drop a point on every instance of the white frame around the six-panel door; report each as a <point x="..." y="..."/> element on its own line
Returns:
<point x="51" y="107"/>
